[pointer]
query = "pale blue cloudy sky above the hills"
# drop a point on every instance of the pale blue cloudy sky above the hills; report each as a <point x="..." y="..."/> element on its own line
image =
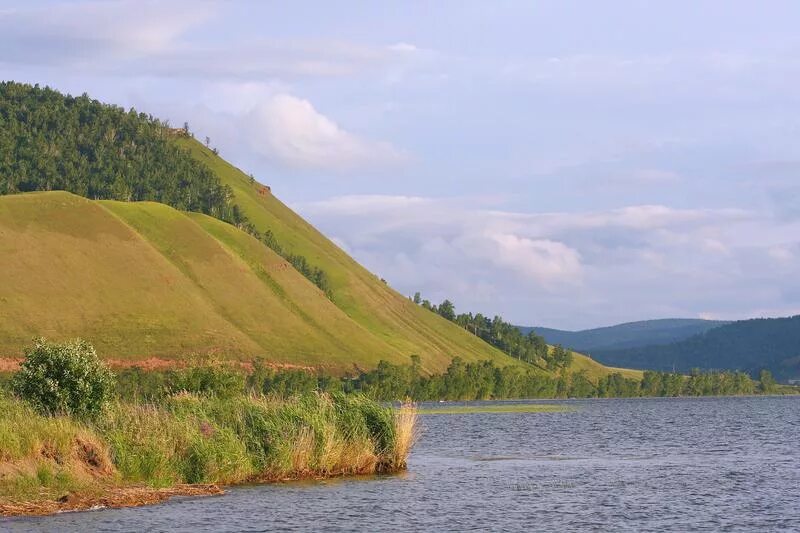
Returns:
<point x="563" y="164"/>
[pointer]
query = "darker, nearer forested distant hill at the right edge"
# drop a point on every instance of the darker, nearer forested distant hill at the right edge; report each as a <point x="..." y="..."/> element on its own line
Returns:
<point x="747" y="345"/>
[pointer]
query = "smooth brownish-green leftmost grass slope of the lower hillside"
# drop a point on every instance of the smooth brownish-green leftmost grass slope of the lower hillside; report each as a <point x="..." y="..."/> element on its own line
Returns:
<point x="69" y="267"/>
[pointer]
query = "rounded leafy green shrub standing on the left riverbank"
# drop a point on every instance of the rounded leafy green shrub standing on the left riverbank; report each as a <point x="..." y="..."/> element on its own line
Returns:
<point x="65" y="378"/>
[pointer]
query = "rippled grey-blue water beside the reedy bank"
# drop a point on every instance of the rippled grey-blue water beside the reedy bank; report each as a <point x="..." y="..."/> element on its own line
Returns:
<point x="711" y="464"/>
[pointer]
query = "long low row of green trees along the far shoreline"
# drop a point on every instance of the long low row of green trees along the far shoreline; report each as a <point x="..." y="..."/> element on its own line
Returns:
<point x="482" y="380"/>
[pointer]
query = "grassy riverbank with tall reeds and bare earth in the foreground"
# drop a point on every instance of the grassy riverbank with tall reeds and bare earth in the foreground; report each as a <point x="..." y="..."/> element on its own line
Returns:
<point x="48" y="462"/>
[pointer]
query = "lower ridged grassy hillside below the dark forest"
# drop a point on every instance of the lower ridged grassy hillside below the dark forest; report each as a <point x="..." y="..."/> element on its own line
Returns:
<point x="142" y="279"/>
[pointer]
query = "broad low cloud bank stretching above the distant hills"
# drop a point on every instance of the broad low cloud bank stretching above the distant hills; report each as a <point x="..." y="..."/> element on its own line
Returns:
<point x="620" y="264"/>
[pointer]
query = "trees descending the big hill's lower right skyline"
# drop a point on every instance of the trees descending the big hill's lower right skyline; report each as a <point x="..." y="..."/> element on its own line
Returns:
<point x="504" y="336"/>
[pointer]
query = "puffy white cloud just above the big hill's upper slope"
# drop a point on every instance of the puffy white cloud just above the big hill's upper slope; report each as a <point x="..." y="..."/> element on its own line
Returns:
<point x="261" y="125"/>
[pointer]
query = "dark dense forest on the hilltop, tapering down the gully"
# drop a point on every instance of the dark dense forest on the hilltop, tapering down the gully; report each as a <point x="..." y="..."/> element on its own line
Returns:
<point x="50" y="141"/>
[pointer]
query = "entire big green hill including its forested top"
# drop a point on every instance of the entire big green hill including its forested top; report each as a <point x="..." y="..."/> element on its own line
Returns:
<point x="143" y="279"/>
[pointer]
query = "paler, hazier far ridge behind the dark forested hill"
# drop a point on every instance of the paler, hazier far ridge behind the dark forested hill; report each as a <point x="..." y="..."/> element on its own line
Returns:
<point x="628" y="335"/>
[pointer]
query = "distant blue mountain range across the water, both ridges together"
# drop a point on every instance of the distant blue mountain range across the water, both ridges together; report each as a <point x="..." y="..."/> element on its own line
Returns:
<point x="681" y="345"/>
